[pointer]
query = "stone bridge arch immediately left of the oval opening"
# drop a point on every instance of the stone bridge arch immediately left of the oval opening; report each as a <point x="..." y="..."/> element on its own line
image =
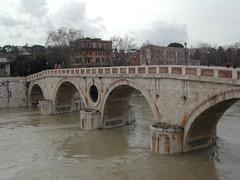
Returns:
<point x="68" y="97"/>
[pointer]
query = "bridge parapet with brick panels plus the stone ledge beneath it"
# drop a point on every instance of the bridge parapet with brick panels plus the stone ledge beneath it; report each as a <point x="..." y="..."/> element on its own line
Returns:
<point x="199" y="73"/>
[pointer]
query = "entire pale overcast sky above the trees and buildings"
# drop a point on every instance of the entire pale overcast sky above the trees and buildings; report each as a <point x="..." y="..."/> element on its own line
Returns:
<point x="157" y="21"/>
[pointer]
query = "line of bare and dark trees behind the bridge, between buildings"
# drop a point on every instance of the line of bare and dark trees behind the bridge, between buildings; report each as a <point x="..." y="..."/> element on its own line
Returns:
<point x="57" y="51"/>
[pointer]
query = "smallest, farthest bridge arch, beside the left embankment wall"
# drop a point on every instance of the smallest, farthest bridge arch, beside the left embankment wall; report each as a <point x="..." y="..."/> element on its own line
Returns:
<point x="35" y="94"/>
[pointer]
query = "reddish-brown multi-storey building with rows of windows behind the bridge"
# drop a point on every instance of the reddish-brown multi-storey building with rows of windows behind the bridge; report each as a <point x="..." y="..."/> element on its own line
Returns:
<point x="89" y="52"/>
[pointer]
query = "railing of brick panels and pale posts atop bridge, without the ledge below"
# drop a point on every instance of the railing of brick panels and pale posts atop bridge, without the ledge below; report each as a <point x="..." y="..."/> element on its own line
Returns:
<point x="216" y="72"/>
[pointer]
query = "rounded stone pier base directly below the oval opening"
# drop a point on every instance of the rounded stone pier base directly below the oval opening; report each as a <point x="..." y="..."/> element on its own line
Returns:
<point x="90" y="119"/>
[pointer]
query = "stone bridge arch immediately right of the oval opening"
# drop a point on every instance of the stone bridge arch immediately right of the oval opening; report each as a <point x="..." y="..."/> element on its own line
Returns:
<point x="118" y="95"/>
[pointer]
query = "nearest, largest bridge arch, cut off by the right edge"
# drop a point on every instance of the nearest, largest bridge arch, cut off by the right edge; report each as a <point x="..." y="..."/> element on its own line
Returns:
<point x="200" y="128"/>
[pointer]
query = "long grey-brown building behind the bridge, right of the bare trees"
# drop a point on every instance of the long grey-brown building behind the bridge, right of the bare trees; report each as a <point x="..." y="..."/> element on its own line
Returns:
<point x="154" y="55"/>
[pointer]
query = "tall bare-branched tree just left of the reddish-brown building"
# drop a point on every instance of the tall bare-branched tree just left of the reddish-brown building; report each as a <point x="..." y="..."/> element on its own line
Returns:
<point x="58" y="51"/>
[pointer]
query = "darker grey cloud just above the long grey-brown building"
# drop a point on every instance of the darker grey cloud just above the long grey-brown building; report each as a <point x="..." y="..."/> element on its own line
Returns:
<point x="163" y="33"/>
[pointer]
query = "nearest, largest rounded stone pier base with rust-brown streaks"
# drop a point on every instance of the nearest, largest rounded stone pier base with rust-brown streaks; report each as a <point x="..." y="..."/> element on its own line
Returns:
<point x="166" y="139"/>
